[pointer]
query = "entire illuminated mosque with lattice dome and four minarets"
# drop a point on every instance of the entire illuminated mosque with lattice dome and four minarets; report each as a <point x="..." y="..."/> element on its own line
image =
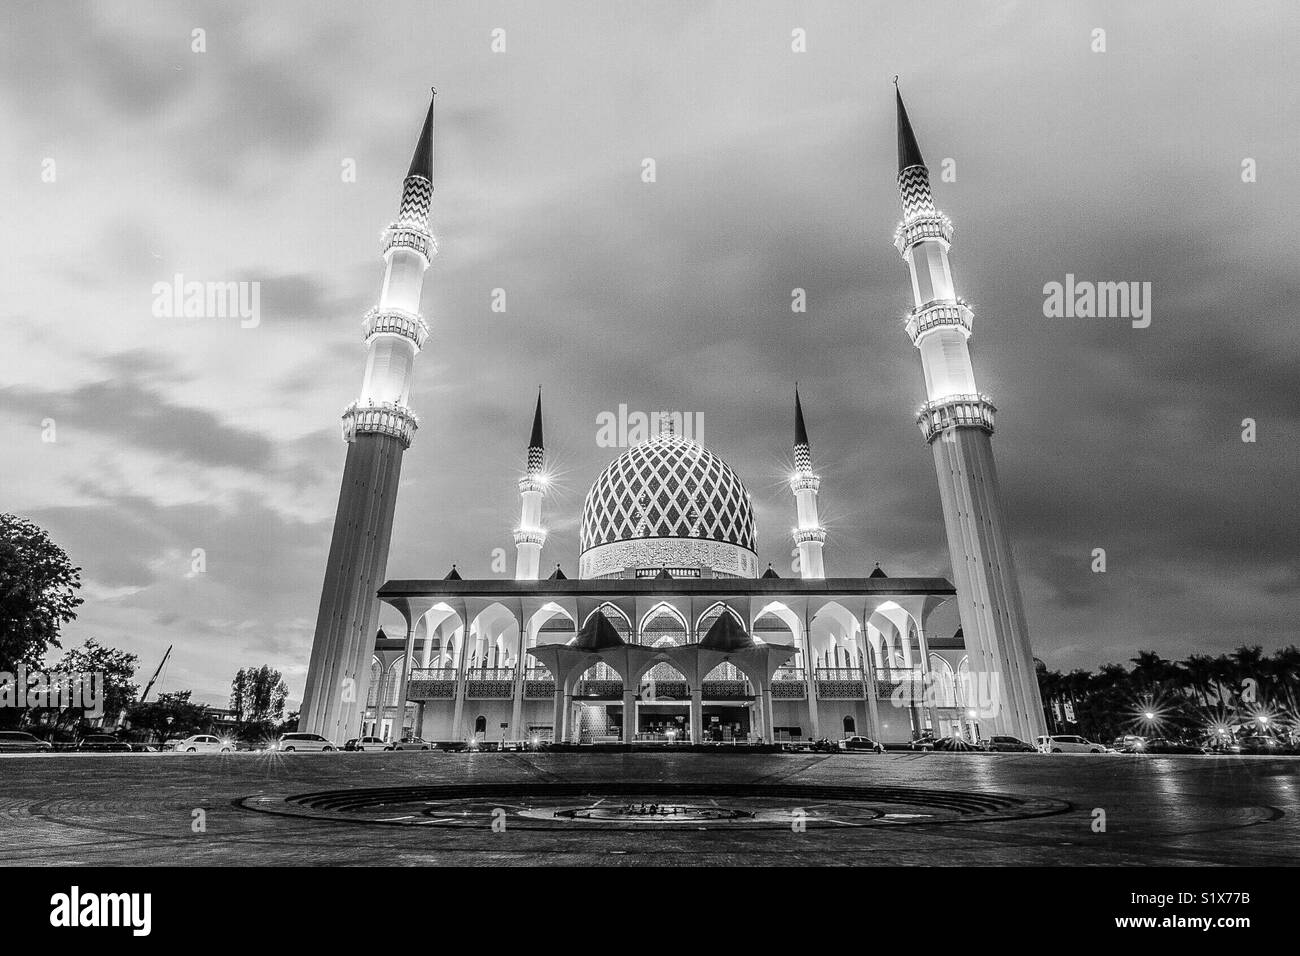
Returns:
<point x="670" y="631"/>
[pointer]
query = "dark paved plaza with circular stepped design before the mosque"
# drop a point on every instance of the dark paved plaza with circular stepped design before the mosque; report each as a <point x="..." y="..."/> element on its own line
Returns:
<point x="440" y="810"/>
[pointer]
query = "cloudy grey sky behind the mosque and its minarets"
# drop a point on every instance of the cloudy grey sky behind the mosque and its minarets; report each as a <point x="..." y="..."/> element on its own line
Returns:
<point x="775" y="171"/>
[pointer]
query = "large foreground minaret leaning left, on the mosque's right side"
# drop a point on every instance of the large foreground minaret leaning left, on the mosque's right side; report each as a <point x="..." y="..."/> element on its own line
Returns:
<point x="957" y="422"/>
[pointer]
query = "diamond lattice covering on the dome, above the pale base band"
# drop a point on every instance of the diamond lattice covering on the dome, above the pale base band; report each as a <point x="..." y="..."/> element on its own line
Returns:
<point x="668" y="487"/>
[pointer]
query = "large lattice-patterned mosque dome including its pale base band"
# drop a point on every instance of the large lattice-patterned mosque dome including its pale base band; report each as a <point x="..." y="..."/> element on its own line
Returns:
<point x="671" y="504"/>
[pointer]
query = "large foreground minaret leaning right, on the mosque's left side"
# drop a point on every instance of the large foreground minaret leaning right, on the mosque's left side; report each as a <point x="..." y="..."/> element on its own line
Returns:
<point x="378" y="429"/>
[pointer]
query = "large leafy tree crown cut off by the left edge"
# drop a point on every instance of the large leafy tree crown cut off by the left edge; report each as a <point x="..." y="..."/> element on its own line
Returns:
<point x="38" y="594"/>
